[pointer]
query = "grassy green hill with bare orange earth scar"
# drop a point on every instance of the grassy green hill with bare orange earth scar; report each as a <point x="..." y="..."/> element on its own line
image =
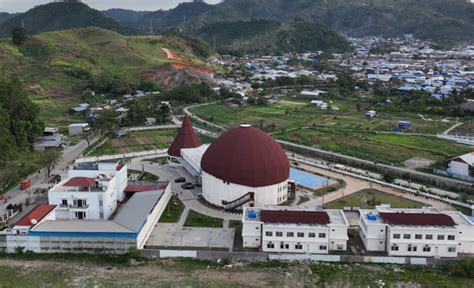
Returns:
<point x="60" y="65"/>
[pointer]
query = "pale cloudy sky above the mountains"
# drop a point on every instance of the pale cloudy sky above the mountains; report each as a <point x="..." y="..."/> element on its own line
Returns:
<point x="23" y="5"/>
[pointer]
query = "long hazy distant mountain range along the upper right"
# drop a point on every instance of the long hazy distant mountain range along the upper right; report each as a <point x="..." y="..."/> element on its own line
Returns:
<point x="445" y="22"/>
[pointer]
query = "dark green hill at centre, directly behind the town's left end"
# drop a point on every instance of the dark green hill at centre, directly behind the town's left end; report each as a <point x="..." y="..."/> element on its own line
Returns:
<point x="271" y="36"/>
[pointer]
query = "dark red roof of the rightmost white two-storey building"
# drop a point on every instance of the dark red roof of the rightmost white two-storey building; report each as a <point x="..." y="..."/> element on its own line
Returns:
<point x="417" y="219"/>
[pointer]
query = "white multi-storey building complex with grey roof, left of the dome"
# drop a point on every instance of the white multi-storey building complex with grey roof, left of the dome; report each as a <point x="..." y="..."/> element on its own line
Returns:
<point x="94" y="210"/>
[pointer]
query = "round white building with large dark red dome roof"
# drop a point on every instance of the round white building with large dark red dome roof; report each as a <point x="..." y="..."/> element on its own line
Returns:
<point x="245" y="167"/>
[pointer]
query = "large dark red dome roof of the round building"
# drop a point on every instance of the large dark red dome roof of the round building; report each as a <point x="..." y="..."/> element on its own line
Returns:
<point x="246" y="156"/>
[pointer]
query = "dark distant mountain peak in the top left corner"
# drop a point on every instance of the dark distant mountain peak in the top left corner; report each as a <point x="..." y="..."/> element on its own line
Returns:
<point x="61" y="15"/>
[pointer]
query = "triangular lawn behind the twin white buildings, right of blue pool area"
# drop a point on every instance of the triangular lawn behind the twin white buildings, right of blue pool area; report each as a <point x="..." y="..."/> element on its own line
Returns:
<point x="367" y="199"/>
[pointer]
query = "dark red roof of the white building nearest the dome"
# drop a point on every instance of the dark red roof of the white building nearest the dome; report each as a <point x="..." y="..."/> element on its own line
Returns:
<point x="296" y="217"/>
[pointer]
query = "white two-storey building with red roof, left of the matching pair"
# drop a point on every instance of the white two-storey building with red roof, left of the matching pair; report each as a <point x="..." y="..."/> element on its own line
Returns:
<point x="307" y="230"/>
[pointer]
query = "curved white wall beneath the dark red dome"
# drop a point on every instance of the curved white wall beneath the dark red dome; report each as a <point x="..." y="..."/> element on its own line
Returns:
<point x="215" y="191"/>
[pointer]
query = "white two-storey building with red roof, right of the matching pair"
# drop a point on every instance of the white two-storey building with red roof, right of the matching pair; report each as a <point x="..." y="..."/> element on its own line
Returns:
<point x="425" y="232"/>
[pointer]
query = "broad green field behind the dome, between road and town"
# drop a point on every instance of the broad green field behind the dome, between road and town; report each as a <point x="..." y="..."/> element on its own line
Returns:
<point x="346" y="131"/>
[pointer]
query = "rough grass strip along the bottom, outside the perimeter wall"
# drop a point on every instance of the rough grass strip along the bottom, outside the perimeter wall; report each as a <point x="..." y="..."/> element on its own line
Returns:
<point x="91" y="271"/>
